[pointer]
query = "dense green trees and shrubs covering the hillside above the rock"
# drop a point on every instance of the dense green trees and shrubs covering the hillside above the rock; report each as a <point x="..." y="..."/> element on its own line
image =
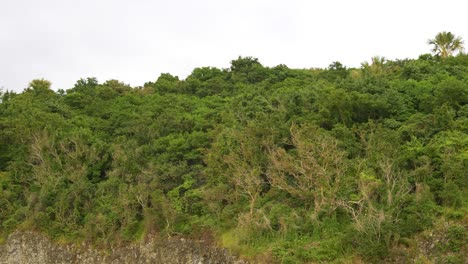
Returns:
<point x="280" y="164"/>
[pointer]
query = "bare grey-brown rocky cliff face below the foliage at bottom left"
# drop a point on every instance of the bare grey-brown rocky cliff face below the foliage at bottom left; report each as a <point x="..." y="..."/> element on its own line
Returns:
<point x="30" y="247"/>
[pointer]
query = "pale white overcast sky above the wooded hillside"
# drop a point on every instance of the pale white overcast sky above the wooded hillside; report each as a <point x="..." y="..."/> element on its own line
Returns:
<point x="135" y="41"/>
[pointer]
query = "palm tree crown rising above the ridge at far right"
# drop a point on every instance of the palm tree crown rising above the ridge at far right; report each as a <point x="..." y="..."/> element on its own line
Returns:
<point x="445" y="43"/>
